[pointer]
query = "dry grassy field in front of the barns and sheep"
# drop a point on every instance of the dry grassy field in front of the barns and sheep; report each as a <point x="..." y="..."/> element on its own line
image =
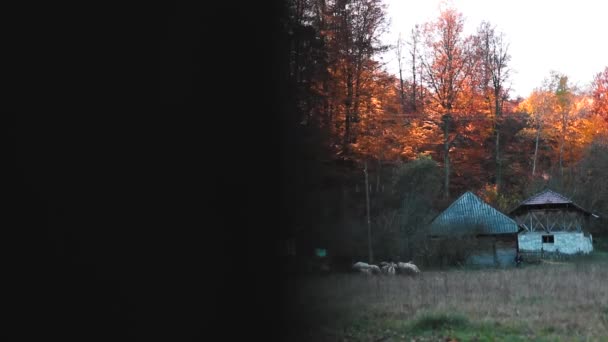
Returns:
<point x="545" y="302"/>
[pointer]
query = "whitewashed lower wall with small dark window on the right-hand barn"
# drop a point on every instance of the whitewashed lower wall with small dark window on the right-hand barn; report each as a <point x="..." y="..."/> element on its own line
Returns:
<point x="564" y="242"/>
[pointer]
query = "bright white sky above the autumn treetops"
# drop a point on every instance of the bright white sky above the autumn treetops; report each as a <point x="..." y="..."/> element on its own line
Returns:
<point x="569" y="37"/>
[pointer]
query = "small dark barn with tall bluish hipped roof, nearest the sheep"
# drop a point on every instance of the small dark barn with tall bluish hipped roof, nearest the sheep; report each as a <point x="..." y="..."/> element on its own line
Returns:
<point x="489" y="236"/>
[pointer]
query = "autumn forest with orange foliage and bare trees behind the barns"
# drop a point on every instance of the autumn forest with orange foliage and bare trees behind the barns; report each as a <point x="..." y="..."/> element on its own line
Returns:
<point x="446" y="124"/>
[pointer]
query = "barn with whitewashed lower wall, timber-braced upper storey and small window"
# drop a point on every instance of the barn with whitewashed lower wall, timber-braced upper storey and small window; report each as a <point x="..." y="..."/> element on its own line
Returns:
<point x="550" y="222"/>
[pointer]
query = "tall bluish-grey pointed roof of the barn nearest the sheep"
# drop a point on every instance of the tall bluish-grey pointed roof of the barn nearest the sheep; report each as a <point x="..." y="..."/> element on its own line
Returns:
<point x="470" y="215"/>
